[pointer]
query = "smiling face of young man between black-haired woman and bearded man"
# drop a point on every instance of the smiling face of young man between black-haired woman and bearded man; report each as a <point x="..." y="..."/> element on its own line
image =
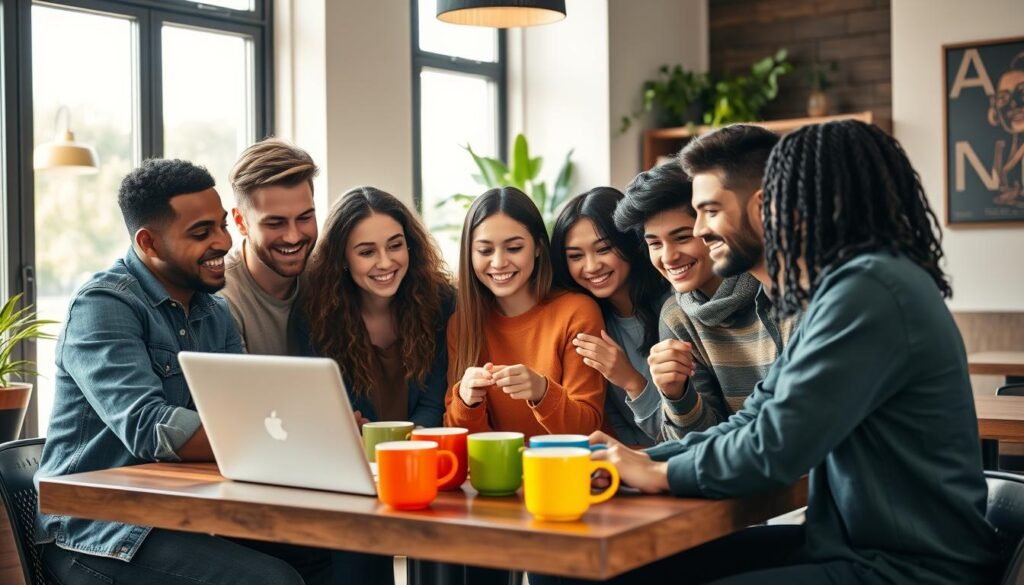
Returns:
<point x="680" y="258"/>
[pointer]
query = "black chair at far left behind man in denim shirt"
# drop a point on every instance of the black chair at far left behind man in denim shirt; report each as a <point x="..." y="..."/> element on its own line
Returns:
<point x="19" y="463"/>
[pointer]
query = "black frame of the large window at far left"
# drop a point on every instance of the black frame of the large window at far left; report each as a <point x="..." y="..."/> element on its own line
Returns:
<point x="18" y="110"/>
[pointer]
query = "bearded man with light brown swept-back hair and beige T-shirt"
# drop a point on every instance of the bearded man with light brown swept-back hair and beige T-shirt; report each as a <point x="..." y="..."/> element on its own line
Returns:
<point x="274" y="193"/>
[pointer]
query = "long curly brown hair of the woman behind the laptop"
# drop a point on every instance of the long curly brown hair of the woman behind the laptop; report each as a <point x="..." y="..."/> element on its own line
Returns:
<point x="332" y="303"/>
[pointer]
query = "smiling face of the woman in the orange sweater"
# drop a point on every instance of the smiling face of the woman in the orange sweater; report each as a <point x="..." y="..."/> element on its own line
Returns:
<point x="504" y="257"/>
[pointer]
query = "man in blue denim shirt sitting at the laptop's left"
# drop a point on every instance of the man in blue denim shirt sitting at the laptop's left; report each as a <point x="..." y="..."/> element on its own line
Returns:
<point x="121" y="398"/>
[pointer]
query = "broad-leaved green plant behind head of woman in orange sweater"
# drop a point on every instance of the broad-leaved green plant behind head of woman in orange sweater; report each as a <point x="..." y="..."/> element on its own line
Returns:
<point x="522" y="173"/>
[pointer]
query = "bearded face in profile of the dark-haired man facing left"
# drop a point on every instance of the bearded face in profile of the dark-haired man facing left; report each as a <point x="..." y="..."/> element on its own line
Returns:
<point x="726" y="223"/>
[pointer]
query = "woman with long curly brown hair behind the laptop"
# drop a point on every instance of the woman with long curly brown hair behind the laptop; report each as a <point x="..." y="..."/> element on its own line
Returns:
<point x="377" y="301"/>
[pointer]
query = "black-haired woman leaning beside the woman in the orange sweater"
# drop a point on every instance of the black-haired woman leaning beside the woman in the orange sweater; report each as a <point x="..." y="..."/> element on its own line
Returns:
<point x="591" y="256"/>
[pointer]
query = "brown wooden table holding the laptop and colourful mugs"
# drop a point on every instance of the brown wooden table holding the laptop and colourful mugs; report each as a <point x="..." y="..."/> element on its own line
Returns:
<point x="628" y="532"/>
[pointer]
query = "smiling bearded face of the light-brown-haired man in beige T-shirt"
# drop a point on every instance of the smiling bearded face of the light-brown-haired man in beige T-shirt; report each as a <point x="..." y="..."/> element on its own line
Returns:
<point x="280" y="226"/>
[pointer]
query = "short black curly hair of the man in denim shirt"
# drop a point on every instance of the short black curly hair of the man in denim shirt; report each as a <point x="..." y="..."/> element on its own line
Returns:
<point x="145" y="196"/>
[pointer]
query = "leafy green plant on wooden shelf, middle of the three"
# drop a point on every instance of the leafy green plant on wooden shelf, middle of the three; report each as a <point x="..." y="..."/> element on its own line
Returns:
<point x="743" y="99"/>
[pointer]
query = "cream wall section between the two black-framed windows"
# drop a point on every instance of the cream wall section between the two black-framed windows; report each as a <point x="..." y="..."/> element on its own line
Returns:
<point x="345" y="92"/>
